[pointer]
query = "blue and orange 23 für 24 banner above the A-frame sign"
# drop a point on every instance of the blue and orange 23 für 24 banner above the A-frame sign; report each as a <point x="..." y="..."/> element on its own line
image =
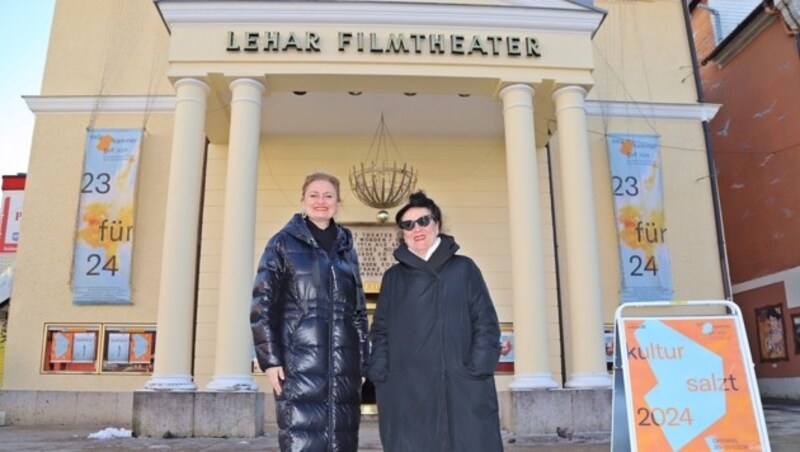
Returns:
<point x="639" y="209"/>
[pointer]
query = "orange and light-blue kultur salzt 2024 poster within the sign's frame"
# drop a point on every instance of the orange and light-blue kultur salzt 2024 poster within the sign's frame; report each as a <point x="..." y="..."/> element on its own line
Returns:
<point x="669" y="371"/>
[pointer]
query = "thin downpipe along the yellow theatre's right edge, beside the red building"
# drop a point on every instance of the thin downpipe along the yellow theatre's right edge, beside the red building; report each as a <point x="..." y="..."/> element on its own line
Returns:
<point x="712" y="169"/>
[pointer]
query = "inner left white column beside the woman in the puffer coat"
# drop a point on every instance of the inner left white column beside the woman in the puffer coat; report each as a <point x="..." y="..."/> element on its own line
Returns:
<point x="234" y="340"/>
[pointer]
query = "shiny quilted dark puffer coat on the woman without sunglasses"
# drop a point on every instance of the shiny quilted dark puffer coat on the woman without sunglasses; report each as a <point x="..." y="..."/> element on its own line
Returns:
<point x="309" y="316"/>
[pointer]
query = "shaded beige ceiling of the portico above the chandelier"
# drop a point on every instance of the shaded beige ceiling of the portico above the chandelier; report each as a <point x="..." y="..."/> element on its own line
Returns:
<point x="326" y="113"/>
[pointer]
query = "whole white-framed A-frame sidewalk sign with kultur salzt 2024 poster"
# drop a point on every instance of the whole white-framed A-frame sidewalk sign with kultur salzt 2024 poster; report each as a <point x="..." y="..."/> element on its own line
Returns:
<point x="684" y="379"/>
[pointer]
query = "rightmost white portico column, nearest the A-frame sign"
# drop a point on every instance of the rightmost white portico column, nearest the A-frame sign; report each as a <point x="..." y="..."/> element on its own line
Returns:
<point x="587" y="356"/>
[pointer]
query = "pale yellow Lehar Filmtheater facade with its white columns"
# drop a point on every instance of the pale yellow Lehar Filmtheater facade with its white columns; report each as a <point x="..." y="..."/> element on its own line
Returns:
<point x="503" y="108"/>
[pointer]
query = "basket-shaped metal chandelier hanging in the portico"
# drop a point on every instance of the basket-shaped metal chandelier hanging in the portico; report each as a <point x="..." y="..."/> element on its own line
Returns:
<point x="376" y="182"/>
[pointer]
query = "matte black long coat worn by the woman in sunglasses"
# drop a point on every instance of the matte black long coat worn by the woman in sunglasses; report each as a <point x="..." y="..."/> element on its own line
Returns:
<point x="435" y="345"/>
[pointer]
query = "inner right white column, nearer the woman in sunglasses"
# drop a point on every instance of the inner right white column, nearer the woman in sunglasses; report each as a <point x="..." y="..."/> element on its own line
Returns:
<point x="531" y="358"/>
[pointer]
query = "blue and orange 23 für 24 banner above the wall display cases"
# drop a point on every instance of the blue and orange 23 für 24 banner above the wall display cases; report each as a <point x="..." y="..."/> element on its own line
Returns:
<point x="101" y="266"/>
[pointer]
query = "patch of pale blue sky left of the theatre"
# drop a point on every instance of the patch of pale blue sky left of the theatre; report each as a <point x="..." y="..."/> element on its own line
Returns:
<point x="24" y="35"/>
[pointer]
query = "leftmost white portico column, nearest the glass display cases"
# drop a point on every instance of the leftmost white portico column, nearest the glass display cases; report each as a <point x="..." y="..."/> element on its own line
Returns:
<point x="173" y="358"/>
